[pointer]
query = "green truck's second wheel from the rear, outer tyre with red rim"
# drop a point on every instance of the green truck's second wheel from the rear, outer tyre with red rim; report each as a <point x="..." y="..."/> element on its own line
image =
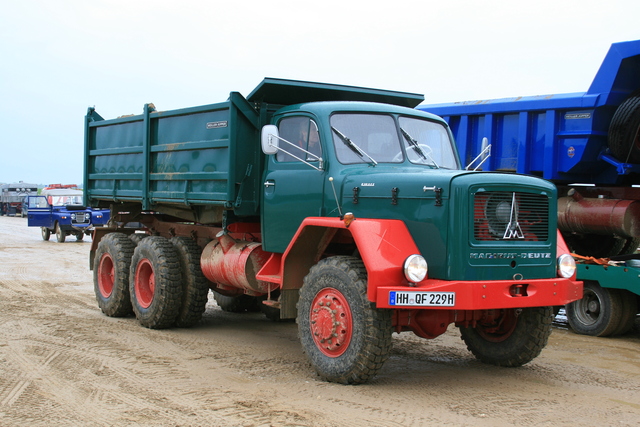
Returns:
<point x="154" y="283"/>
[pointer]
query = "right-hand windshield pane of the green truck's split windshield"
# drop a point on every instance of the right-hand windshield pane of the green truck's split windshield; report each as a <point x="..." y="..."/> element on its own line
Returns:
<point x="427" y="143"/>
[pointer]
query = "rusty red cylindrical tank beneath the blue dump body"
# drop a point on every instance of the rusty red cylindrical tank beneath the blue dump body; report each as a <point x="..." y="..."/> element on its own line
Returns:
<point x="599" y="216"/>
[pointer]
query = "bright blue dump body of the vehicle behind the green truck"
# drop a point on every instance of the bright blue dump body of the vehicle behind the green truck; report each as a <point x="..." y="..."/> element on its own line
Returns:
<point x="562" y="138"/>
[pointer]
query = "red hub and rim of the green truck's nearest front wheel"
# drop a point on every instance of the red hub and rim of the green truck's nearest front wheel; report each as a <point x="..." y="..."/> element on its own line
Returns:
<point x="331" y="324"/>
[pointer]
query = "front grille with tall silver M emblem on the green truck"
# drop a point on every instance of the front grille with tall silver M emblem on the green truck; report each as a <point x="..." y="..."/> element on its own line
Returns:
<point x="509" y="215"/>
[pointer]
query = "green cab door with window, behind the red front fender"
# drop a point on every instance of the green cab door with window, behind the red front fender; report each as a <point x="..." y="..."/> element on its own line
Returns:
<point x="293" y="182"/>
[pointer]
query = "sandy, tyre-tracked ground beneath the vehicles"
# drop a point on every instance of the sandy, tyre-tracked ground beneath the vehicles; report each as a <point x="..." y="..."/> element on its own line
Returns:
<point x="62" y="362"/>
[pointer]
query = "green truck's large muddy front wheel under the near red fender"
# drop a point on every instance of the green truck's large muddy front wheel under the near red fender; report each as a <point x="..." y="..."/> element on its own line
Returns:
<point x="346" y="339"/>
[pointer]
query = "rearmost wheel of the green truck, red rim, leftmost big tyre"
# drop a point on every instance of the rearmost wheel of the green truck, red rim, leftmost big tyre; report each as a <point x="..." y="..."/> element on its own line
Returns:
<point x="112" y="262"/>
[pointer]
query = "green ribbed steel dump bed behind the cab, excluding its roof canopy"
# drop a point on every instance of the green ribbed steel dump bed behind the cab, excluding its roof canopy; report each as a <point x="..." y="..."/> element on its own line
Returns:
<point x="174" y="160"/>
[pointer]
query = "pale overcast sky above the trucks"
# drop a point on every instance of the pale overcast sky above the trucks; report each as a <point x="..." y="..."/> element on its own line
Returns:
<point x="59" y="57"/>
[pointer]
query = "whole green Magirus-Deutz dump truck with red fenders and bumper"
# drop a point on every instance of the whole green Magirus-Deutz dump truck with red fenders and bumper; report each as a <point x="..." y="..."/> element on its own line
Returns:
<point x="341" y="207"/>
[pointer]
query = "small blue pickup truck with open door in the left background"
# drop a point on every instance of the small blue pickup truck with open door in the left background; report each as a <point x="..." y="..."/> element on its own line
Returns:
<point x="61" y="211"/>
